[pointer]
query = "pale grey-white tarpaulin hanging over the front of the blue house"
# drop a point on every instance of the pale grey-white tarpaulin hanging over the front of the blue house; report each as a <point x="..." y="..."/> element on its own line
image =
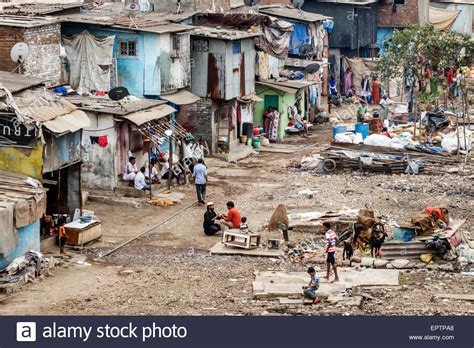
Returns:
<point x="90" y="59"/>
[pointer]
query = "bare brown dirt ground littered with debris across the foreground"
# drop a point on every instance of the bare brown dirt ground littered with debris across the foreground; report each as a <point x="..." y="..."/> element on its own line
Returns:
<point x="172" y="273"/>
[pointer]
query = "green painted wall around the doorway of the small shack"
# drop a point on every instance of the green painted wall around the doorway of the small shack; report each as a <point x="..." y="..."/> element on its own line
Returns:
<point x="285" y="100"/>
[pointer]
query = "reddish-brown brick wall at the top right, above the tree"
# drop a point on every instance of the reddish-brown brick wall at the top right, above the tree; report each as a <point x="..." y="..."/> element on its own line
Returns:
<point x="406" y="14"/>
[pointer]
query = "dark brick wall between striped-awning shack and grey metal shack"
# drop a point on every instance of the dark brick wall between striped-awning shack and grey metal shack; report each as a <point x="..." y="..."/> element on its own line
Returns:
<point x="198" y="119"/>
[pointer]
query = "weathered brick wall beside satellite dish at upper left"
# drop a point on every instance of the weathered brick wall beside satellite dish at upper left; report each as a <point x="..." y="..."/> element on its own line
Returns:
<point x="44" y="44"/>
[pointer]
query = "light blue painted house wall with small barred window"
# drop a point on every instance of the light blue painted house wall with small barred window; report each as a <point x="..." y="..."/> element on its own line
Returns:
<point x="131" y="71"/>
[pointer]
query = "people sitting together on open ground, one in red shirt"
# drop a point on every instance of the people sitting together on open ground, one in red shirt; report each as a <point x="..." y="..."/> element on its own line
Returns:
<point x="213" y="223"/>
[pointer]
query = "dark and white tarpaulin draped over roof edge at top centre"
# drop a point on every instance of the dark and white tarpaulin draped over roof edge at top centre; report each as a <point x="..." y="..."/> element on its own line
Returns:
<point x="276" y="33"/>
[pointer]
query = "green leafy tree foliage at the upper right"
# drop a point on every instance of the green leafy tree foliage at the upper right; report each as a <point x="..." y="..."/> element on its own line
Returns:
<point x="418" y="46"/>
